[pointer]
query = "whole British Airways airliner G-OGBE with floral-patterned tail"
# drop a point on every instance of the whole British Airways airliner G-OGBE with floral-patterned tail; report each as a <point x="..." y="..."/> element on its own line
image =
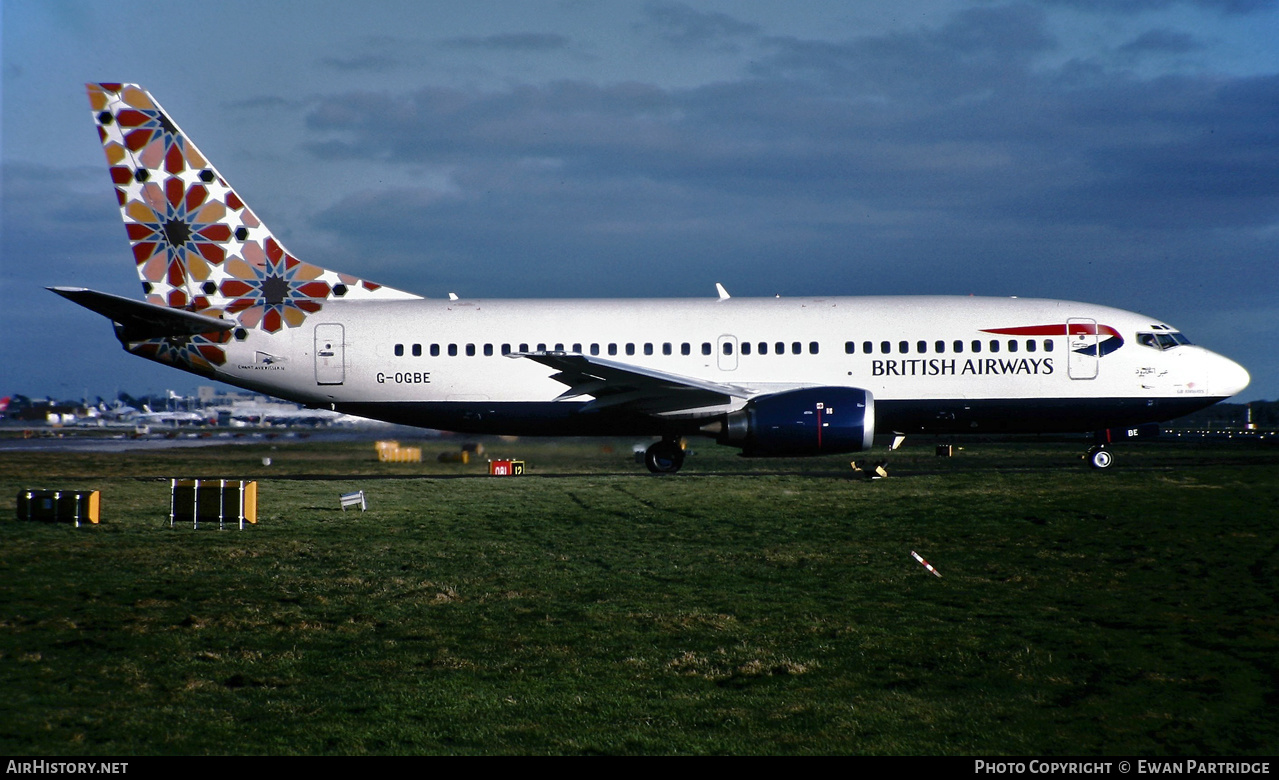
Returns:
<point x="773" y="377"/>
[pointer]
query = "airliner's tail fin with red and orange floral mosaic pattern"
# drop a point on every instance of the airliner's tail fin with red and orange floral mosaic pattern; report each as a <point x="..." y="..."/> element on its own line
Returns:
<point x="196" y="245"/>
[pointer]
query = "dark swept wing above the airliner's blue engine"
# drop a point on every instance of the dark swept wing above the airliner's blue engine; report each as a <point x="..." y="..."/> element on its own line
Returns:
<point x="622" y="386"/>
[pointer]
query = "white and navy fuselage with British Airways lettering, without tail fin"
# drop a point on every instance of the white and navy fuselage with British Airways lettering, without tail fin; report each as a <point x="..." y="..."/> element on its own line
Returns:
<point x="928" y="357"/>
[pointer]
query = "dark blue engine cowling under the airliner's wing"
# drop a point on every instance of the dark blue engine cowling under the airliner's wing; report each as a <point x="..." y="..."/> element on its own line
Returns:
<point x="812" y="421"/>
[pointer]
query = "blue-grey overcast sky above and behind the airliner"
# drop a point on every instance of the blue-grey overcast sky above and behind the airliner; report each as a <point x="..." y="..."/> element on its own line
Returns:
<point x="1115" y="152"/>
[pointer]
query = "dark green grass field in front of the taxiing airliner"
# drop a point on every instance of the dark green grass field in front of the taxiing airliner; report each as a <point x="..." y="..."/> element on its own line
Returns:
<point x="741" y="607"/>
